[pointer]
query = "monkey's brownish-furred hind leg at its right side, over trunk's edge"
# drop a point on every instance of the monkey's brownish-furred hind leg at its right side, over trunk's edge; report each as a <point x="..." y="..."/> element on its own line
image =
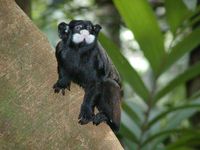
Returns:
<point x="112" y="99"/>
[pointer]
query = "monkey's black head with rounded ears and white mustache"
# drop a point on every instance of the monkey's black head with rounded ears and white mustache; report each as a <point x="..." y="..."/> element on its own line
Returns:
<point x="79" y="31"/>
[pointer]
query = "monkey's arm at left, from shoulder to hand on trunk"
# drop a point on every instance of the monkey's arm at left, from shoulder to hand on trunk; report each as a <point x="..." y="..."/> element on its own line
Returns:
<point x="63" y="78"/>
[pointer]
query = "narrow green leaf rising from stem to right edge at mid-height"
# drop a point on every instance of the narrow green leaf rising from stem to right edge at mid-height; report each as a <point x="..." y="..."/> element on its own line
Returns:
<point x="190" y="73"/>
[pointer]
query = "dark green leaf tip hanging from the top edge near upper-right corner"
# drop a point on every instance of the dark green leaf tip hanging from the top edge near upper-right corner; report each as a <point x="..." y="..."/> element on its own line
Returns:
<point x="176" y="13"/>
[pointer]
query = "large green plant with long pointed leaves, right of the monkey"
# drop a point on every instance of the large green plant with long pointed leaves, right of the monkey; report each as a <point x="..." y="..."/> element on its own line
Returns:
<point x="146" y="124"/>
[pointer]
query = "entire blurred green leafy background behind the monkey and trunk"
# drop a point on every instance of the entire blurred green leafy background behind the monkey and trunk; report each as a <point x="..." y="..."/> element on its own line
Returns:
<point x="155" y="45"/>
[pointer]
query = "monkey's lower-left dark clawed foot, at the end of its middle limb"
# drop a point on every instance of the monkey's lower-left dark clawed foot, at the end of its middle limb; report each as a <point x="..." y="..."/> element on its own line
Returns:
<point x="85" y="116"/>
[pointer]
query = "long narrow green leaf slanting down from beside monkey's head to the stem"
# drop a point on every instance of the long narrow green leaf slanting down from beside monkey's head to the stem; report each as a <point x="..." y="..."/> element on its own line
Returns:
<point x="128" y="73"/>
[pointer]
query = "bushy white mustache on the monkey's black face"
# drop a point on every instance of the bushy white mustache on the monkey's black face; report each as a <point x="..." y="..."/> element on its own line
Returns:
<point x="84" y="35"/>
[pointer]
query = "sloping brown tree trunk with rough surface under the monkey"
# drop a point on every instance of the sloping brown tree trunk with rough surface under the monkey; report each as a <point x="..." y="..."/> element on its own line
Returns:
<point x="31" y="115"/>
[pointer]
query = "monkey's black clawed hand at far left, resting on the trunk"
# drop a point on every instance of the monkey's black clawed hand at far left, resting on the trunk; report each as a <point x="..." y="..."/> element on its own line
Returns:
<point x="61" y="84"/>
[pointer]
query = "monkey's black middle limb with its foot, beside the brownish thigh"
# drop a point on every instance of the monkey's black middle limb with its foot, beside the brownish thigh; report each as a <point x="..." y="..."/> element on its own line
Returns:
<point x="87" y="108"/>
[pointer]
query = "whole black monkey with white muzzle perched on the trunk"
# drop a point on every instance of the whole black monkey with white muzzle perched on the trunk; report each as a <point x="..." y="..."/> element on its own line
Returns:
<point x="81" y="59"/>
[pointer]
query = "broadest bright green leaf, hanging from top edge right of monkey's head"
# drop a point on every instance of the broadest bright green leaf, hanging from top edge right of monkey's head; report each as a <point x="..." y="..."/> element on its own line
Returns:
<point x="140" y="18"/>
